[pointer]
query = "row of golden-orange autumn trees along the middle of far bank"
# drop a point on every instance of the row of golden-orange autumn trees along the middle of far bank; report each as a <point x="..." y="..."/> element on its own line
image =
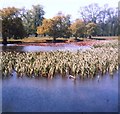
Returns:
<point x="60" y="26"/>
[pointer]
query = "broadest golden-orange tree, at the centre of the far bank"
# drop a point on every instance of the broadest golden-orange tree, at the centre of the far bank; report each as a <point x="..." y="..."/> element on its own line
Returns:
<point x="56" y="27"/>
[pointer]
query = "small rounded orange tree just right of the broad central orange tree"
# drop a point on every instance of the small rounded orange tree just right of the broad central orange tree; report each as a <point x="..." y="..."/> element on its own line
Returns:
<point x="78" y="28"/>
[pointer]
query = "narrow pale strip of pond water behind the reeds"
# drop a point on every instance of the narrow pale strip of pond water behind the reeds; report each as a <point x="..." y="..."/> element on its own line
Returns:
<point x="70" y="47"/>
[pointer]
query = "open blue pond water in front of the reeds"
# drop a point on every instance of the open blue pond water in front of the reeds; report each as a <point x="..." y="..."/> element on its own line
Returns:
<point x="60" y="94"/>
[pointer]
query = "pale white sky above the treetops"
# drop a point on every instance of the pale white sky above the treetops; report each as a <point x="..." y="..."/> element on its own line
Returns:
<point x="52" y="7"/>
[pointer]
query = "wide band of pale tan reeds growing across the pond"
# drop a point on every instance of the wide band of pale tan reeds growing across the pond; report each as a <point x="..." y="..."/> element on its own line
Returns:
<point x="85" y="64"/>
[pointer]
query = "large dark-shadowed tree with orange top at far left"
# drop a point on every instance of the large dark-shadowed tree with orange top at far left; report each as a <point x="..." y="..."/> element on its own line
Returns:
<point x="11" y="23"/>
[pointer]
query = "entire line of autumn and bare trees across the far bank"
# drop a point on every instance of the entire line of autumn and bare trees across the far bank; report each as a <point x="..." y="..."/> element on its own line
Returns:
<point x="94" y="20"/>
